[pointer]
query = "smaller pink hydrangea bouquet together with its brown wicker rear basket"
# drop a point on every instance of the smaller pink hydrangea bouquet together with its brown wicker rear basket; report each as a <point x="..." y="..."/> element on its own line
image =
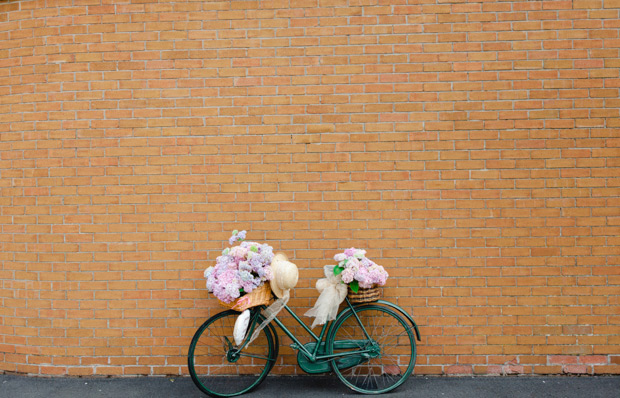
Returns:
<point x="360" y="274"/>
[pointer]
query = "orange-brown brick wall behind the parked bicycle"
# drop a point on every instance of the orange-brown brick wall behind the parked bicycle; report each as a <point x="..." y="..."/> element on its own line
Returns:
<point x="472" y="147"/>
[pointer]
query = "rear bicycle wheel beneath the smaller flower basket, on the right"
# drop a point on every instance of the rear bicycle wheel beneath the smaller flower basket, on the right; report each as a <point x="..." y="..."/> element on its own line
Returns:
<point x="386" y="345"/>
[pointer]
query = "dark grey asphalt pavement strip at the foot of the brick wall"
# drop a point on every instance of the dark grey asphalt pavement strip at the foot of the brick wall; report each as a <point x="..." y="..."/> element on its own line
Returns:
<point x="16" y="386"/>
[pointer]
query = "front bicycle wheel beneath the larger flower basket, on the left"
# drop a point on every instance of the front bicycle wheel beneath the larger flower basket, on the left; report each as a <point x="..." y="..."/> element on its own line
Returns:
<point x="218" y="367"/>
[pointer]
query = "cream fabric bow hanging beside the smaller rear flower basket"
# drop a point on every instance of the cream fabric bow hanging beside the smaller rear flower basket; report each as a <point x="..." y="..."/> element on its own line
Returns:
<point x="332" y="292"/>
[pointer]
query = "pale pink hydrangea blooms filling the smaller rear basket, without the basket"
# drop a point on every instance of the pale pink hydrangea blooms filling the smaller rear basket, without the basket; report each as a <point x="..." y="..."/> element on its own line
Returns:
<point x="353" y="265"/>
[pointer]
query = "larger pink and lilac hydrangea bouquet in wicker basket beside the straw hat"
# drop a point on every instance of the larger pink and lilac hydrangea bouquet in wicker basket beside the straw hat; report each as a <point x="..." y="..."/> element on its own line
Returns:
<point x="240" y="277"/>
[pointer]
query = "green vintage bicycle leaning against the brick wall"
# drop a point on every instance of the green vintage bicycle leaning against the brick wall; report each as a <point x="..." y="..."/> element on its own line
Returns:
<point x="370" y="346"/>
